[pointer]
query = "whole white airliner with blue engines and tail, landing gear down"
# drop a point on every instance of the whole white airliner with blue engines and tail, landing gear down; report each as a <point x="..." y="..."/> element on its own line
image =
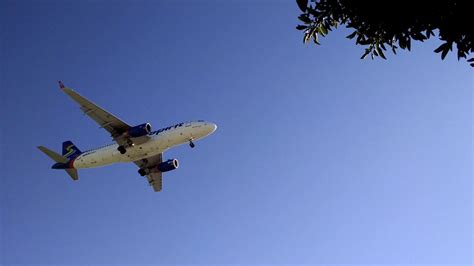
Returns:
<point x="137" y="144"/>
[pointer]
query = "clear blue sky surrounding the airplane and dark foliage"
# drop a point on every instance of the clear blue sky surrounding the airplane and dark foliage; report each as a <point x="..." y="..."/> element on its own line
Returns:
<point x="319" y="157"/>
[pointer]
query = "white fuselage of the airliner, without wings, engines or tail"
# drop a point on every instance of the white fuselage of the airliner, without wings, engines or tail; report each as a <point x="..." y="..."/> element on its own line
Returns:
<point x="160" y="141"/>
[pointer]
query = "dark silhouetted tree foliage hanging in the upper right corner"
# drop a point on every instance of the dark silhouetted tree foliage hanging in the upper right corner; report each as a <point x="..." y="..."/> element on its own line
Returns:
<point x="382" y="25"/>
